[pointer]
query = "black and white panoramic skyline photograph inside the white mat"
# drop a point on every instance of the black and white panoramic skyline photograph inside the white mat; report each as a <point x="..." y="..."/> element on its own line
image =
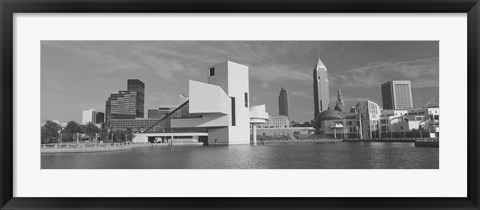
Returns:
<point x="239" y="104"/>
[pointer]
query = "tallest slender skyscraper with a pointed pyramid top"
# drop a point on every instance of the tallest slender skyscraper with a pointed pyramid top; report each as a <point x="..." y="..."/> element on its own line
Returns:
<point x="320" y="88"/>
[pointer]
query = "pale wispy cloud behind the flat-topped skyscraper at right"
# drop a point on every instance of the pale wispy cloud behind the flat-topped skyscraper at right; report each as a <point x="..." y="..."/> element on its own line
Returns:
<point x="422" y="73"/>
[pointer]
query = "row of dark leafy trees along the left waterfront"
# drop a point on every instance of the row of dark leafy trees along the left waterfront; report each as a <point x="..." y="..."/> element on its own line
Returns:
<point x="52" y="132"/>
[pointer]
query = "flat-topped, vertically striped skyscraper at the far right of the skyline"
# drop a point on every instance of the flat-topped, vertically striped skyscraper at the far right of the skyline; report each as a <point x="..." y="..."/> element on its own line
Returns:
<point x="397" y="94"/>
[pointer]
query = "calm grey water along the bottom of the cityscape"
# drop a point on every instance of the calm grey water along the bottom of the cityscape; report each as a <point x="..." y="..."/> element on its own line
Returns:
<point x="281" y="156"/>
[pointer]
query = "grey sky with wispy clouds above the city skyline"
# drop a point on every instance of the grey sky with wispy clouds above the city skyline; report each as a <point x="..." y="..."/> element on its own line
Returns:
<point x="78" y="75"/>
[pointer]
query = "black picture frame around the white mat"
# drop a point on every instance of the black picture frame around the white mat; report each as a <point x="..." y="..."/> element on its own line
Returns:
<point x="10" y="7"/>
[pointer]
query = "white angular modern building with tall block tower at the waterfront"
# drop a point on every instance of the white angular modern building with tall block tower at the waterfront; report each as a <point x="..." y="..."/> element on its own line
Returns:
<point x="221" y="106"/>
